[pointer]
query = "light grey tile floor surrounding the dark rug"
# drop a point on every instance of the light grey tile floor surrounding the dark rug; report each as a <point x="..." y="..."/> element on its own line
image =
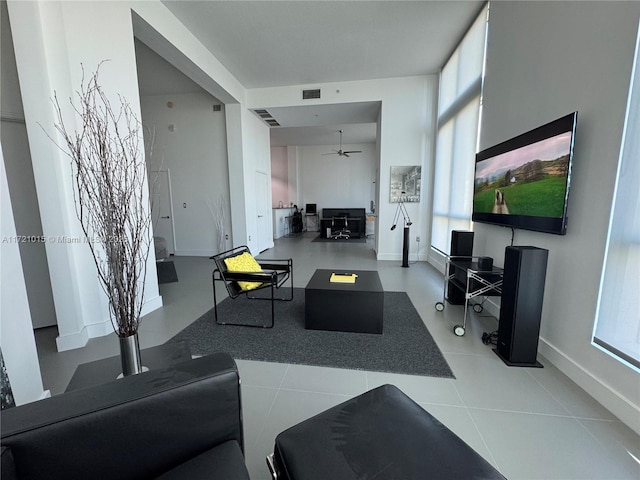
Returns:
<point x="529" y="423"/>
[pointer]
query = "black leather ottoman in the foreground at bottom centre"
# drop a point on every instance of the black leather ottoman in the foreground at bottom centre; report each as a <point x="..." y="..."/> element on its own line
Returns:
<point x="382" y="435"/>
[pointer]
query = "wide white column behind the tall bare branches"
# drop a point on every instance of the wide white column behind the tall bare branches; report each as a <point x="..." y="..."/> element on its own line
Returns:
<point x="53" y="41"/>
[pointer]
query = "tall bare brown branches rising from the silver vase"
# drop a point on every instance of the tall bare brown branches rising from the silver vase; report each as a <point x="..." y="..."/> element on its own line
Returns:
<point x="108" y="163"/>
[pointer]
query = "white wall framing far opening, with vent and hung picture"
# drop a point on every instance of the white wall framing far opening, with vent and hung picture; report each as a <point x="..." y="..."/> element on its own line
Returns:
<point x="406" y="138"/>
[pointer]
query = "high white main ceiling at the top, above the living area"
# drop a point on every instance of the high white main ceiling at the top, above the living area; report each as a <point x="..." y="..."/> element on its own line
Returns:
<point x="277" y="43"/>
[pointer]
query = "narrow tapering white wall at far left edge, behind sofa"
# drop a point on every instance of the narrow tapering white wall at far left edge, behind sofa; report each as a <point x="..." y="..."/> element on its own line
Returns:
<point x="16" y="333"/>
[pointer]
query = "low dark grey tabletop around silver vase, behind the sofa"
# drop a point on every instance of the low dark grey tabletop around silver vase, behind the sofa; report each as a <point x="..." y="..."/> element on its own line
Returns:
<point x="106" y="370"/>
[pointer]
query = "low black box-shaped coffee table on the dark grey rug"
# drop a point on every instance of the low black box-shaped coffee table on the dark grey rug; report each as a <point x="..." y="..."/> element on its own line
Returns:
<point x="344" y="307"/>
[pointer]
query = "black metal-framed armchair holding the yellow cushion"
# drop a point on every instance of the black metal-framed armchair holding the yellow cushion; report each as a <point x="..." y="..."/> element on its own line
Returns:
<point x="275" y="273"/>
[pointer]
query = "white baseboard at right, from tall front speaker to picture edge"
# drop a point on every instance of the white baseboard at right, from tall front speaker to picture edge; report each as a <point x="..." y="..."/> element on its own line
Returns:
<point x="617" y="404"/>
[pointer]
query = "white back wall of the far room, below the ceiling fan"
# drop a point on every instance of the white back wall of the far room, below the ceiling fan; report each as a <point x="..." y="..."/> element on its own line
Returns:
<point x="332" y="181"/>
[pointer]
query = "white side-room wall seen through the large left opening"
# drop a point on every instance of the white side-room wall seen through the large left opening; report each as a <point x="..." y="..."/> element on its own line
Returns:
<point x="195" y="153"/>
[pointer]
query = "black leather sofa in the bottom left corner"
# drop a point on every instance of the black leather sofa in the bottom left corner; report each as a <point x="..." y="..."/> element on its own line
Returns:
<point x="181" y="422"/>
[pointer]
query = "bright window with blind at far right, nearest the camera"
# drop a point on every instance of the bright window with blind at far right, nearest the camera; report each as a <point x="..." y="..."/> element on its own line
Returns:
<point x="617" y="328"/>
